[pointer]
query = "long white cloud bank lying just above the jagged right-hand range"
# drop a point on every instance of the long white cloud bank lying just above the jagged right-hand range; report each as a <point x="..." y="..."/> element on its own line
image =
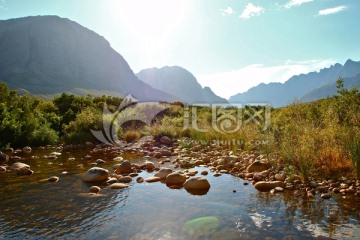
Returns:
<point x="227" y="84"/>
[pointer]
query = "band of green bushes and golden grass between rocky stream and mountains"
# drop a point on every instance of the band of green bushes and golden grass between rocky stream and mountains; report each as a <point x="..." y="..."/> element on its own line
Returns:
<point x="314" y="139"/>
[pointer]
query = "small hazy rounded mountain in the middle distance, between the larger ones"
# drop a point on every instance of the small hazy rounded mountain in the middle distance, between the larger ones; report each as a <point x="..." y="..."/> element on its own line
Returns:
<point x="179" y="82"/>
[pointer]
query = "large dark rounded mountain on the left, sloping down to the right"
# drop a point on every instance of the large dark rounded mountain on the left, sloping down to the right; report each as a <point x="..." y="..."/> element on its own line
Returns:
<point x="50" y="55"/>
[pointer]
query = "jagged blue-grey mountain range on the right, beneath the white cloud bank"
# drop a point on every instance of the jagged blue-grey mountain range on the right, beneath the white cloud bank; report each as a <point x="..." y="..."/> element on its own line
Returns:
<point x="281" y="94"/>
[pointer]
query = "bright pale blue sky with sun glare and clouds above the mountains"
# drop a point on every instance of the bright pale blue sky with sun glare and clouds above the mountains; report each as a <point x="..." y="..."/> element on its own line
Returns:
<point x="229" y="45"/>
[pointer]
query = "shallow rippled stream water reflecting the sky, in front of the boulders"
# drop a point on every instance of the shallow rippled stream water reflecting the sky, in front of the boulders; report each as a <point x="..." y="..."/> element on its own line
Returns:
<point x="35" y="209"/>
